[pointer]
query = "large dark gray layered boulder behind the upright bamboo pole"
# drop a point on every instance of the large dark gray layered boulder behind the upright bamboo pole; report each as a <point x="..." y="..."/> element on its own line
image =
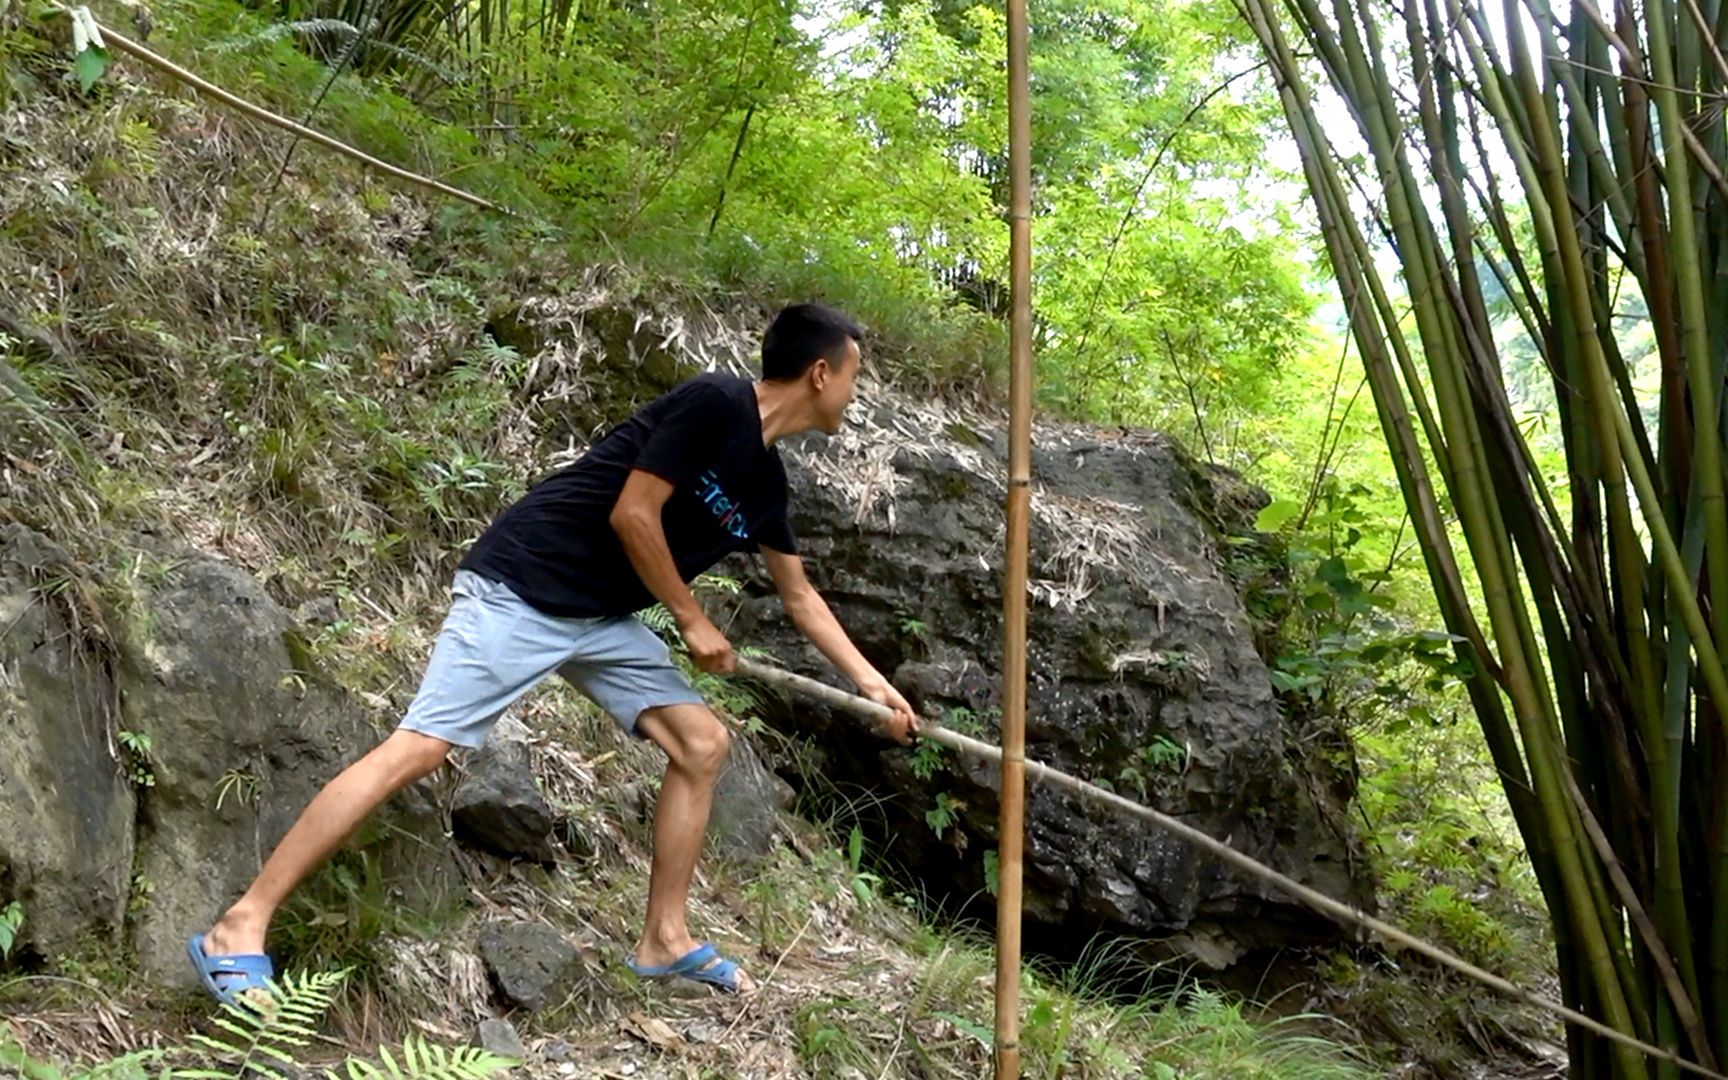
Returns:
<point x="1143" y="675"/>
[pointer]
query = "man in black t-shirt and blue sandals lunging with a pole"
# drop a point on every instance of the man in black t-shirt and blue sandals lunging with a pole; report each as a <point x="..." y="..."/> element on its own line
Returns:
<point x="552" y="587"/>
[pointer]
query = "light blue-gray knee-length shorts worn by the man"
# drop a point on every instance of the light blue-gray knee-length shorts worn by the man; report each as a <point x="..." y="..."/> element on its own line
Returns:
<point x="495" y="647"/>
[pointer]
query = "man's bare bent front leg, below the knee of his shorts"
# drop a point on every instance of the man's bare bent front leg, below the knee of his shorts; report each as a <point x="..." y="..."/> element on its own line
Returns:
<point x="696" y="744"/>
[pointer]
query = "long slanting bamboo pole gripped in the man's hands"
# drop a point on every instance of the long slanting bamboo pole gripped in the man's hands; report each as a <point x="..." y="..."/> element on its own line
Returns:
<point x="877" y="716"/>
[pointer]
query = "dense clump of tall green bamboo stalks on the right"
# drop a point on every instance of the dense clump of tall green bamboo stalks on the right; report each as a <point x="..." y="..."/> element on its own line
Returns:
<point x="1570" y="167"/>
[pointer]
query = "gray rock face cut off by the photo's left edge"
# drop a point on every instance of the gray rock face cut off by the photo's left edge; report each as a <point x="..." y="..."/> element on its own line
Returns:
<point x="67" y="808"/>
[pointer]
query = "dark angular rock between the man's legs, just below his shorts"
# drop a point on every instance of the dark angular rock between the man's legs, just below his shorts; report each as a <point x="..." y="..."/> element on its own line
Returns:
<point x="499" y="806"/>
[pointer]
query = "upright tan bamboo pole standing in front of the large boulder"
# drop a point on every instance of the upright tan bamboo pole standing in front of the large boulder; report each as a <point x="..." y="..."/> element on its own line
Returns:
<point x="1012" y="834"/>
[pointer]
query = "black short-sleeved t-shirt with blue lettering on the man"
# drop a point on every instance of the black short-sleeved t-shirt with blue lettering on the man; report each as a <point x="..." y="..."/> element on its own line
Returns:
<point x="556" y="547"/>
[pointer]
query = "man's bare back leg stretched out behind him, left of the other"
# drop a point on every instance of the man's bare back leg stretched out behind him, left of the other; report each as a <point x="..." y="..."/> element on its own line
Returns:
<point x="327" y="822"/>
